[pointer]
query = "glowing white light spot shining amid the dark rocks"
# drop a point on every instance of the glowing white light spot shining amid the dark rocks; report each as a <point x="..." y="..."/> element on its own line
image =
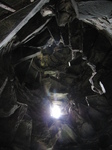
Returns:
<point x="55" y="111"/>
